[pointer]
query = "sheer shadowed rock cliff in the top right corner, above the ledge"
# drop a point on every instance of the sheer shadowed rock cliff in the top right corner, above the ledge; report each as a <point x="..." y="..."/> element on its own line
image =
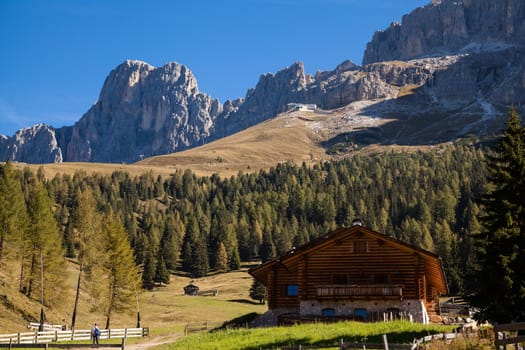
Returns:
<point x="449" y="27"/>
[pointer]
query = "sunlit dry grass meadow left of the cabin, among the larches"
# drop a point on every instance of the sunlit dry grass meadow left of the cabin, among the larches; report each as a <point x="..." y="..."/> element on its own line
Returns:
<point x="165" y="309"/>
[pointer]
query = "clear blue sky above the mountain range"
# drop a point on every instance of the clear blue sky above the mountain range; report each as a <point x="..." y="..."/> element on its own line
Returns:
<point x="55" y="54"/>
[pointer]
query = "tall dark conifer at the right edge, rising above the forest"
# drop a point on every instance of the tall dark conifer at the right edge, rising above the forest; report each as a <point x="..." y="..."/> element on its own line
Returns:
<point x="499" y="280"/>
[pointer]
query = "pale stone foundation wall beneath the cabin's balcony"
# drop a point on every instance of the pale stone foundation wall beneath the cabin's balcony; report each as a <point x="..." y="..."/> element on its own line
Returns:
<point x="376" y="309"/>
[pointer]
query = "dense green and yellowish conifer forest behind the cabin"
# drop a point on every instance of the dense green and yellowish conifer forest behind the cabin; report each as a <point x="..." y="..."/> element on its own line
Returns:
<point x="200" y="224"/>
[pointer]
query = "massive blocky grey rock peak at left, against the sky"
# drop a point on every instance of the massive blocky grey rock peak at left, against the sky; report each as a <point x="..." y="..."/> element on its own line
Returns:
<point x="142" y="111"/>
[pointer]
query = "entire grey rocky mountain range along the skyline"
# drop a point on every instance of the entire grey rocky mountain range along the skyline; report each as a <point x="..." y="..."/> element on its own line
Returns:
<point x="449" y="69"/>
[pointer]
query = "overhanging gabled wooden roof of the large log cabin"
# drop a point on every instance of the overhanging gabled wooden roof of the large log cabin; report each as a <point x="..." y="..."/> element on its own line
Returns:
<point x="433" y="265"/>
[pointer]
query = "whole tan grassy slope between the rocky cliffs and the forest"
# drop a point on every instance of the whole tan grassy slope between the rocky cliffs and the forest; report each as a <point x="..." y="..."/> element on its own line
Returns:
<point x="300" y="136"/>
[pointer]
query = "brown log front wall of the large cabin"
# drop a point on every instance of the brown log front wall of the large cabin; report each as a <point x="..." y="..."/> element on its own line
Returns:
<point x="347" y="257"/>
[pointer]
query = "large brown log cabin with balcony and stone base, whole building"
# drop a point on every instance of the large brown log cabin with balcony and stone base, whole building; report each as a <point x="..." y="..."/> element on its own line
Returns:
<point x="353" y="273"/>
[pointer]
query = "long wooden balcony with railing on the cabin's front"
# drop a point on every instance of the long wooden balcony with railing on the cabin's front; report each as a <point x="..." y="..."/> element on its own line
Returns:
<point x="361" y="291"/>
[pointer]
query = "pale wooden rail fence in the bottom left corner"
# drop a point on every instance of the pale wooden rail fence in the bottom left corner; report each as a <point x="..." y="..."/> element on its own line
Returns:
<point x="37" y="337"/>
